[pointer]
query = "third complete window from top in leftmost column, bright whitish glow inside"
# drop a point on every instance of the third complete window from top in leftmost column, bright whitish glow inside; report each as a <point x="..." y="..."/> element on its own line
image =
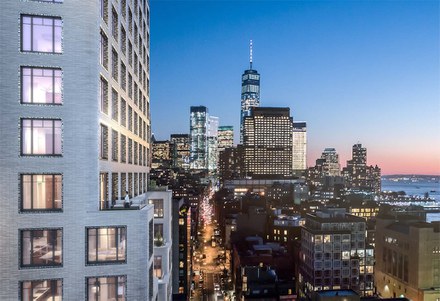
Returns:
<point x="41" y="137"/>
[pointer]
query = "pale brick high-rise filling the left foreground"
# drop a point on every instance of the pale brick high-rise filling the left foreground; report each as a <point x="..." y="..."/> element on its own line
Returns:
<point x="76" y="136"/>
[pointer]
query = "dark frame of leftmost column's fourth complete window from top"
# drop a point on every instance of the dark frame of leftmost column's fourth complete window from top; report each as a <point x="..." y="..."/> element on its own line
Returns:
<point x="53" y="209"/>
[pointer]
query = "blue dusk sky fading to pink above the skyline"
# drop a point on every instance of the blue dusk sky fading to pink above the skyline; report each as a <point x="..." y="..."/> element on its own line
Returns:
<point x="356" y="71"/>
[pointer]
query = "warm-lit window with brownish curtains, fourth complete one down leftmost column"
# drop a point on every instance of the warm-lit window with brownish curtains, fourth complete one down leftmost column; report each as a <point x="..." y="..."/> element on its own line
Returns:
<point x="41" y="192"/>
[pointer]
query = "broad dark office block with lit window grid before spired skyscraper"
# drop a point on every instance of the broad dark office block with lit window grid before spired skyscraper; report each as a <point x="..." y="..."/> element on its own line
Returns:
<point x="267" y="141"/>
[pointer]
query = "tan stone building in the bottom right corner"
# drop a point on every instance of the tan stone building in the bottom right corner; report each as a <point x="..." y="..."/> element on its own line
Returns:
<point x="407" y="258"/>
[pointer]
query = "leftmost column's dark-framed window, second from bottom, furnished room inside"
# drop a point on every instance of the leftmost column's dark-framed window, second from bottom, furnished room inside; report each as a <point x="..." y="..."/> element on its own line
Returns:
<point x="41" y="247"/>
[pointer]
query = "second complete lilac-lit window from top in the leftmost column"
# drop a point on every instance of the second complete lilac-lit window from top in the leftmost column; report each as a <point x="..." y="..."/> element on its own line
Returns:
<point x="41" y="85"/>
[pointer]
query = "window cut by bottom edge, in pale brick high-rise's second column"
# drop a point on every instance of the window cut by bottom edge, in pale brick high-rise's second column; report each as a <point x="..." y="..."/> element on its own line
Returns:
<point x="106" y="288"/>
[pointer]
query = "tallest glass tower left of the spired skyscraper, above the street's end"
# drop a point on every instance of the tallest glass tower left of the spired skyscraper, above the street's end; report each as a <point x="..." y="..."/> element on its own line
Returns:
<point x="198" y="137"/>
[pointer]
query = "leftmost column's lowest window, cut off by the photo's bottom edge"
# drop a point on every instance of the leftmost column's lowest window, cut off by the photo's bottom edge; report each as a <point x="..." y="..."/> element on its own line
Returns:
<point x="47" y="290"/>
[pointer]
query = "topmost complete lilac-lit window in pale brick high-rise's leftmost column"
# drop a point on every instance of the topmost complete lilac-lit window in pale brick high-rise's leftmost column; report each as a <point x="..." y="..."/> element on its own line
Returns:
<point x="41" y="34"/>
